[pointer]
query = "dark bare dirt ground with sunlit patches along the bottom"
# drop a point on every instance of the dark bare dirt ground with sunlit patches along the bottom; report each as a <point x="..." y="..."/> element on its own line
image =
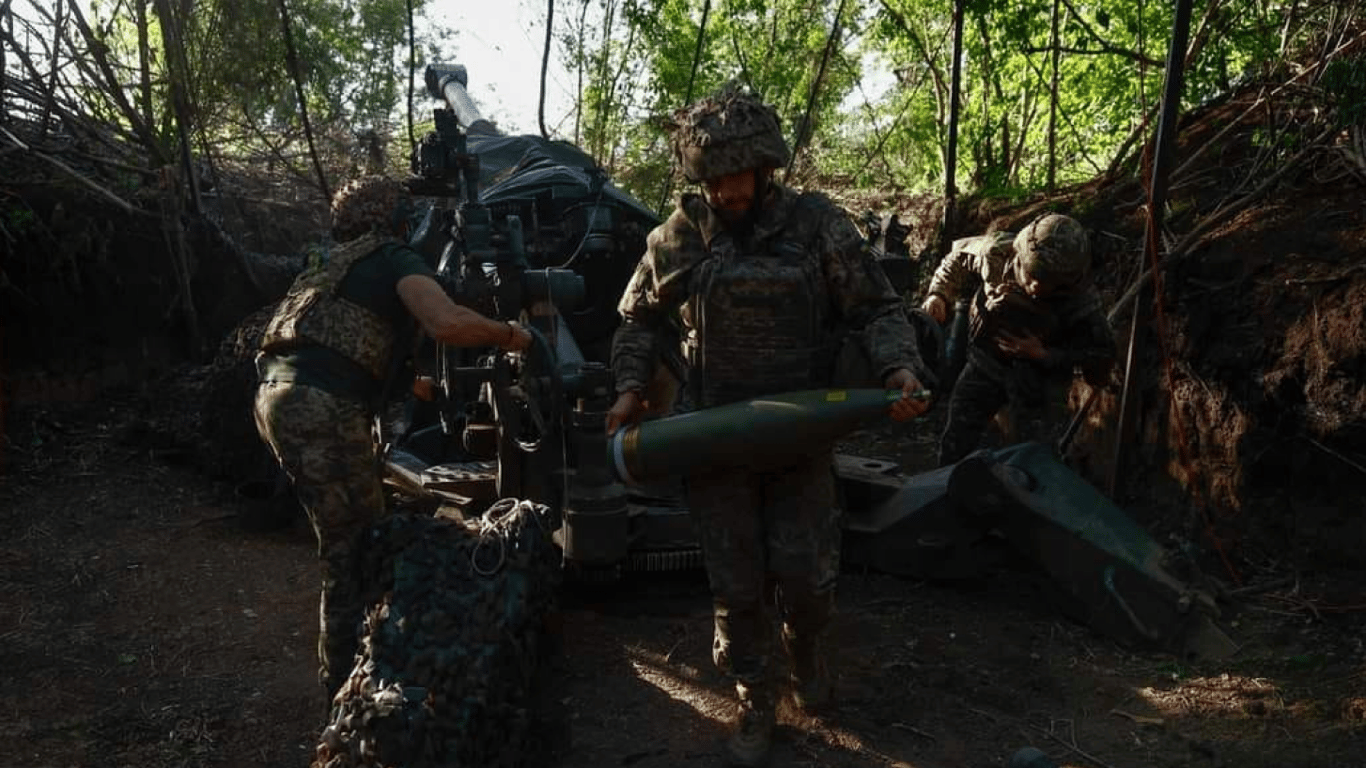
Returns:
<point x="145" y="628"/>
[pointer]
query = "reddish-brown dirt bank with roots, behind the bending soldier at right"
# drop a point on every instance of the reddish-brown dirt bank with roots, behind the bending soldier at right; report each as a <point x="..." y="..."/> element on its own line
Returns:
<point x="1257" y="420"/>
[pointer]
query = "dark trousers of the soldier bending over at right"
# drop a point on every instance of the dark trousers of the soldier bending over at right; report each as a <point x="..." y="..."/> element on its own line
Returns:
<point x="1025" y="401"/>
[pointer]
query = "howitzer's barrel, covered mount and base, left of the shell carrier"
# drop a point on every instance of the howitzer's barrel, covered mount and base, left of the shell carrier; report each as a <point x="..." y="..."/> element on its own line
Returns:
<point x="531" y="230"/>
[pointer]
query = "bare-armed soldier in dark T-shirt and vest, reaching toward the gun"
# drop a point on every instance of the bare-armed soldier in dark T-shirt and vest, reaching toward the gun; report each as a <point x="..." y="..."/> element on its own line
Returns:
<point x="324" y="363"/>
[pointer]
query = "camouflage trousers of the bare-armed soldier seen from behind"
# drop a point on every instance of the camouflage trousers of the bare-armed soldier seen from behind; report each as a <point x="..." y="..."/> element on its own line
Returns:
<point x="326" y="446"/>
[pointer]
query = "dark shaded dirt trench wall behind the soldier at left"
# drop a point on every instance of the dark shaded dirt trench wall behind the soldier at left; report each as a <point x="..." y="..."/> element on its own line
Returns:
<point x="95" y="296"/>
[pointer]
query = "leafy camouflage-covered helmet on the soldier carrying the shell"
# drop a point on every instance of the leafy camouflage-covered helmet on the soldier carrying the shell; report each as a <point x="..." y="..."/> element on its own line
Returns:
<point x="726" y="133"/>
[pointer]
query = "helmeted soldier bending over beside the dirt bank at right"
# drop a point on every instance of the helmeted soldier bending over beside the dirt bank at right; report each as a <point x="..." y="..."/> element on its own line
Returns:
<point x="1035" y="319"/>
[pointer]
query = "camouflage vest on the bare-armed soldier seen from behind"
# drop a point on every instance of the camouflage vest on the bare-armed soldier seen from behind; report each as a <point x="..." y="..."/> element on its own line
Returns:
<point x="315" y="312"/>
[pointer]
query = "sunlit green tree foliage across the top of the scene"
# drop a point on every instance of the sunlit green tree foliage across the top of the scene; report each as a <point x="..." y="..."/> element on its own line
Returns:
<point x="1054" y="92"/>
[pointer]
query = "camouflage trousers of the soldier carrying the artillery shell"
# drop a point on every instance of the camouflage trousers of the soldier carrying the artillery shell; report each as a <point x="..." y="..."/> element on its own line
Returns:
<point x="762" y="530"/>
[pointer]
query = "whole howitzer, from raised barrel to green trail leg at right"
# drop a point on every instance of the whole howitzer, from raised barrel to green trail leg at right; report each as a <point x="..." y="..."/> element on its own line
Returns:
<point x="533" y="230"/>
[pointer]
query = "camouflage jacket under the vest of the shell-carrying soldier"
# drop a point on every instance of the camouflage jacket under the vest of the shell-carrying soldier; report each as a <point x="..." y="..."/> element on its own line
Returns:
<point x="670" y="278"/>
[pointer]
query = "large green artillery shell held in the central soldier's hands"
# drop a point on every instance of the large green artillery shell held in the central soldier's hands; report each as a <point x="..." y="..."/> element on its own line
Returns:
<point x="755" y="434"/>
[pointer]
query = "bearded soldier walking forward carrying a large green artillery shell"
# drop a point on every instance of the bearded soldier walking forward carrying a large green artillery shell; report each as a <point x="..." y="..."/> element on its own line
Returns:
<point x="756" y="278"/>
